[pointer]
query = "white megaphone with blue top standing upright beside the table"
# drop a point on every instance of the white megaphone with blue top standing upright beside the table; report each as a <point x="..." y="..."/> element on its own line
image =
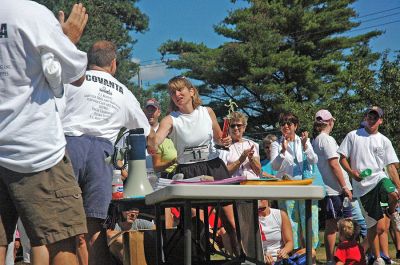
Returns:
<point x="136" y="185"/>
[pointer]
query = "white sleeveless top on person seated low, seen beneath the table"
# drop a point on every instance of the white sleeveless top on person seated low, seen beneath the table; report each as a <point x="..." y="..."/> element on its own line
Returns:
<point x="271" y="232"/>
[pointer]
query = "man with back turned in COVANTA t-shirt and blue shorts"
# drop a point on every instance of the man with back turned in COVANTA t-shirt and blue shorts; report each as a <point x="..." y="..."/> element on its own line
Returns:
<point x="93" y="116"/>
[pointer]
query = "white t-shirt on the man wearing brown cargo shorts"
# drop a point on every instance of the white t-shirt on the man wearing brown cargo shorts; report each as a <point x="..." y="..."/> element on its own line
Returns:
<point x="31" y="135"/>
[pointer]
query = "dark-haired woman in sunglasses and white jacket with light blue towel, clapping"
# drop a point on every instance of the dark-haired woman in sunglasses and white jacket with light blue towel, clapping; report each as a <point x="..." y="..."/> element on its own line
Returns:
<point x="293" y="156"/>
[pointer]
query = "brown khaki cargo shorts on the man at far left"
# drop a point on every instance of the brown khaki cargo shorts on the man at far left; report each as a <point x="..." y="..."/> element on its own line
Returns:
<point x="49" y="204"/>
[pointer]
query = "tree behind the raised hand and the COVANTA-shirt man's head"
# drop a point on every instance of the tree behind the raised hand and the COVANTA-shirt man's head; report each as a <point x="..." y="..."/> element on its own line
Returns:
<point x="113" y="21"/>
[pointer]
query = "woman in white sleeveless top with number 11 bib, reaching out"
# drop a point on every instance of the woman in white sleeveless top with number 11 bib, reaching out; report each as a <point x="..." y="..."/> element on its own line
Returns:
<point x="194" y="130"/>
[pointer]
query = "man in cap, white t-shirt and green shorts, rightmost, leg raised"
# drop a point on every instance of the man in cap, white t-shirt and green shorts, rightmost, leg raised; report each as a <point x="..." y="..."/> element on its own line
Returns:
<point x="366" y="148"/>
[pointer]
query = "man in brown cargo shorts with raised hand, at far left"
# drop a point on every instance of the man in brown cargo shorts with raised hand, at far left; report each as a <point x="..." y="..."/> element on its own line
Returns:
<point x="36" y="176"/>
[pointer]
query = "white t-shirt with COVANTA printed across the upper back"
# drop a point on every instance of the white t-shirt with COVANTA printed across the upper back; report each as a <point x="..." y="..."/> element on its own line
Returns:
<point x="101" y="107"/>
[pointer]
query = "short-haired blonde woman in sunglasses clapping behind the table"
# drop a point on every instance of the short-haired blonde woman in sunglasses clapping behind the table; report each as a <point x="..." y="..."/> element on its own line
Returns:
<point x="243" y="158"/>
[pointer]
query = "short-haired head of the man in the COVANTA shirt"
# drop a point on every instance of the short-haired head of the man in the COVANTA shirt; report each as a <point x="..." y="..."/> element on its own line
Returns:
<point x="101" y="54"/>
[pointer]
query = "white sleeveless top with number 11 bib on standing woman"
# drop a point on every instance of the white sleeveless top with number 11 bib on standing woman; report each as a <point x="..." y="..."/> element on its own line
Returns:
<point x="192" y="135"/>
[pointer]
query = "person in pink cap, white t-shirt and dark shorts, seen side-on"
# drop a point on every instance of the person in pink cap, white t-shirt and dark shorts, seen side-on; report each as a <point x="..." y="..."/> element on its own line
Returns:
<point x="336" y="180"/>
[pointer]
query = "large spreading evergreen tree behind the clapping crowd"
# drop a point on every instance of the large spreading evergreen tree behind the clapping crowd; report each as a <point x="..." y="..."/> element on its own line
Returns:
<point x="282" y="55"/>
